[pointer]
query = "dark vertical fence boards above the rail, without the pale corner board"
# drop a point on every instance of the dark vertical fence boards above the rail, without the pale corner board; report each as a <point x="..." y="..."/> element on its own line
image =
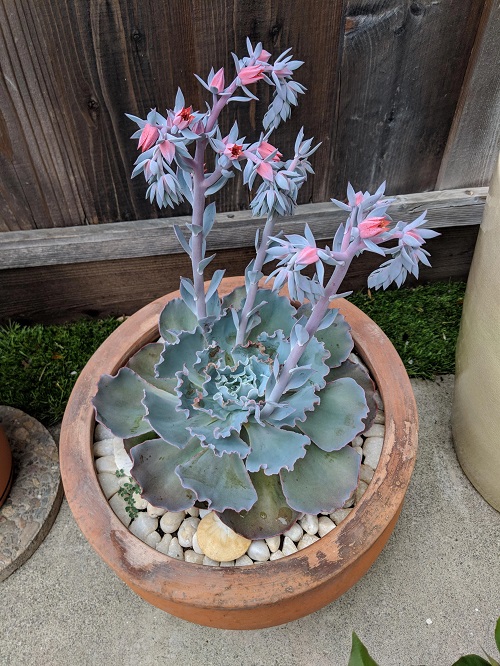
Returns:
<point x="383" y="80"/>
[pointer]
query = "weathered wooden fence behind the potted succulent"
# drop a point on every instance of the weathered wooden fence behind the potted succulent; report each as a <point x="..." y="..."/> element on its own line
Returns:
<point x="403" y="90"/>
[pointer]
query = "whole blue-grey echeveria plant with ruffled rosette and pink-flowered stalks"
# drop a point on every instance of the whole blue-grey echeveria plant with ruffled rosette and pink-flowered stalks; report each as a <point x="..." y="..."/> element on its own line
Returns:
<point x="249" y="405"/>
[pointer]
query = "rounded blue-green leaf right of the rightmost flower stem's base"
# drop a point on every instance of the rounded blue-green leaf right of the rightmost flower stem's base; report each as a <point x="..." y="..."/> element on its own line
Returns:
<point x="338" y="417"/>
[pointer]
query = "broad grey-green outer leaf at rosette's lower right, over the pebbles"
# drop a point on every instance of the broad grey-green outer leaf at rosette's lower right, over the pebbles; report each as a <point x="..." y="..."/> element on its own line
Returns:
<point x="321" y="481"/>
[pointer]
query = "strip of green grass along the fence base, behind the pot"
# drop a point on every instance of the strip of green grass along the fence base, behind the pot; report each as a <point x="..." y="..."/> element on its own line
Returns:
<point x="40" y="364"/>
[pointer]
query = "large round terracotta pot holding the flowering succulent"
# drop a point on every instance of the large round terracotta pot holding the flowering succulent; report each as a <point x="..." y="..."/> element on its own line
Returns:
<point x="257" y="596"/>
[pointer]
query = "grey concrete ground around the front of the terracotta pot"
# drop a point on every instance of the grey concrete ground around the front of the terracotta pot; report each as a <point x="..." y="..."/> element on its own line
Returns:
<point x="433" y="594"/>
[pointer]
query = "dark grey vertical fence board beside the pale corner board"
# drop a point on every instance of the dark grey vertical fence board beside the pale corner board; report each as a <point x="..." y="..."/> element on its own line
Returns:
<point x="401" y="72"/>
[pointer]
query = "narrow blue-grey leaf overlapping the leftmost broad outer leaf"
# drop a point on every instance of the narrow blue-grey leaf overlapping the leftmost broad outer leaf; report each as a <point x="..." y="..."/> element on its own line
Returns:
<point x="165" y="418"/>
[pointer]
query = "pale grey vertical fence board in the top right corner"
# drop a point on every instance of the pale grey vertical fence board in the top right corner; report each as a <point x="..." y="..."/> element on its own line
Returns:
<point x="474" y="141"/>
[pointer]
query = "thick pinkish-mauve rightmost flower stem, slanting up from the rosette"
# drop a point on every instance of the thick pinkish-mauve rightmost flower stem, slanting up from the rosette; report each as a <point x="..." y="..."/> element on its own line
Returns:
<point x="317" y="314"/>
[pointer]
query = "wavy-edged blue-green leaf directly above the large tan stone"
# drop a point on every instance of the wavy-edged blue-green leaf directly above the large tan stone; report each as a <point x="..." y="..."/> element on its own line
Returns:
<point x="221" y="481"/>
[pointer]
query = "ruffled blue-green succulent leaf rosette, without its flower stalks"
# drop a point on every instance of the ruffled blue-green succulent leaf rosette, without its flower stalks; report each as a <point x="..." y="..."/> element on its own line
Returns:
<point x="190" y="412"/>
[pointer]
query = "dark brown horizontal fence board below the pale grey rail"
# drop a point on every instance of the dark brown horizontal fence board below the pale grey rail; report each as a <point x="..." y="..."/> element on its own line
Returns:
<point x="55" y="294"/>
